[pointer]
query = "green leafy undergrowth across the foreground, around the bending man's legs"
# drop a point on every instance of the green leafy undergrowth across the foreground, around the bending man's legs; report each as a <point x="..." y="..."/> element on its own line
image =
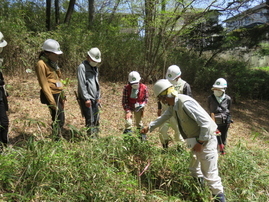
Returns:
<point x="116" y="168"/>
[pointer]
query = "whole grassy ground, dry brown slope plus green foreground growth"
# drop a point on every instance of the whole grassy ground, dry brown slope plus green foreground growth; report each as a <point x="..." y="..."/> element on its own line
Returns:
<point x="111" y="168"/>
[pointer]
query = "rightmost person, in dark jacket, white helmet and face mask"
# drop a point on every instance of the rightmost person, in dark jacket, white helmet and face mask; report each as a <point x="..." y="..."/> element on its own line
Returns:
<point x="219" y="106"/>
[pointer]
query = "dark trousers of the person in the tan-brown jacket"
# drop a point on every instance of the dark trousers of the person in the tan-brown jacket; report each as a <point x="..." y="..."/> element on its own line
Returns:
<point x="57" y="115"/>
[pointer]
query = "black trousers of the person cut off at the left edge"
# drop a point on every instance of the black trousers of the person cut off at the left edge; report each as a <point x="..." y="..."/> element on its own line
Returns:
<point x="4" y="123"/>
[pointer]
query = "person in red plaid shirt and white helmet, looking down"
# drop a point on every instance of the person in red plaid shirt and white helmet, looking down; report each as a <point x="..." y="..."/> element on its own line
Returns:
<point x="134" y="98"/>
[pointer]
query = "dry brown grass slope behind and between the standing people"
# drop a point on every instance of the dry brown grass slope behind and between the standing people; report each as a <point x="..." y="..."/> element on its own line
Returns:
<point x="27" y="113"/>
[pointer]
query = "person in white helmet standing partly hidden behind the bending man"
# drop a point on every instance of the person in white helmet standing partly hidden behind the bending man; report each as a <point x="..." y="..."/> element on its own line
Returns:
<point x="173" y="74"/>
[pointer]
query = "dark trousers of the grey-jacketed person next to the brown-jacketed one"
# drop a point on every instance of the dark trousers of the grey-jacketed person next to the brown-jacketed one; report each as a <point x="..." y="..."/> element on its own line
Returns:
<point x="91" y="115"/>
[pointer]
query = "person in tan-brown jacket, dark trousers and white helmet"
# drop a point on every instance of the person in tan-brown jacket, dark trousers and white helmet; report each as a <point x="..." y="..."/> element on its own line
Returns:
<point x="49" y="78"/>
